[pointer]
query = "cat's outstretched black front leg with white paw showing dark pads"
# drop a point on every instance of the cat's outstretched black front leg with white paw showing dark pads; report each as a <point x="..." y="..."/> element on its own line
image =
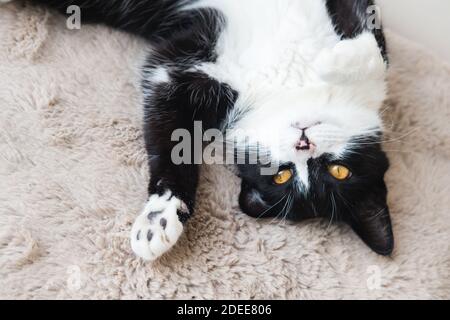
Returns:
<point x="179" y="105"/>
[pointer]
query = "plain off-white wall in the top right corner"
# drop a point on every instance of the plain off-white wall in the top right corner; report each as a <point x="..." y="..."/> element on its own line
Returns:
<point x="423" y="21"/>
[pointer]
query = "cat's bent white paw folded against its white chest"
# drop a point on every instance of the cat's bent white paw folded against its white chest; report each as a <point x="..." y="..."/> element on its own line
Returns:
<point x="351" y="60"/>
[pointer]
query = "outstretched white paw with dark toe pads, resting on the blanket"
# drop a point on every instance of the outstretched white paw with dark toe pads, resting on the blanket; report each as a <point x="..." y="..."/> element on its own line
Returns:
<point x="157" y="228"/>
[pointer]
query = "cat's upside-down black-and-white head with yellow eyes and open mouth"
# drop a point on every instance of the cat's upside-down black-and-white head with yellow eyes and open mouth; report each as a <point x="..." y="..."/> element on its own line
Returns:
<point x="325" y="143"/>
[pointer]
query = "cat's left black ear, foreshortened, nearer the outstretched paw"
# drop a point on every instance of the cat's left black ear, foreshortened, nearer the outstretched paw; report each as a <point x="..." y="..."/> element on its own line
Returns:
<point x="251" y="202"/>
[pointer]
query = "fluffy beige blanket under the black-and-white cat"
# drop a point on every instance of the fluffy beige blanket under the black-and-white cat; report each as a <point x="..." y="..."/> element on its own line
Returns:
<point x="73" y="175"/>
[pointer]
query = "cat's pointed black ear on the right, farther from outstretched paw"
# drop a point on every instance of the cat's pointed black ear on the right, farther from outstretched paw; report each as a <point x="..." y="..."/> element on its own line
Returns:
<point x="372" y="222"/>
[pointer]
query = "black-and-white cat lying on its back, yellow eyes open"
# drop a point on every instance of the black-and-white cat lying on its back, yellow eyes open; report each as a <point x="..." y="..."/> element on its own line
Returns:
<point x="310" y="72"/>
